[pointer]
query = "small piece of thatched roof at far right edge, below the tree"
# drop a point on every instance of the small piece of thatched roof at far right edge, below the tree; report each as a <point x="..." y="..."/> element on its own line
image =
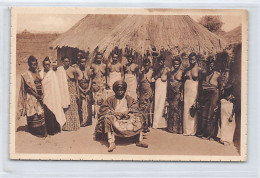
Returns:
<point x="234" y="36"/>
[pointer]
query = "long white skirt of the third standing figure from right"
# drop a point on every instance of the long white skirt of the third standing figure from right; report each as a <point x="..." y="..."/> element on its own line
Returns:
<point x="190" y="96"/>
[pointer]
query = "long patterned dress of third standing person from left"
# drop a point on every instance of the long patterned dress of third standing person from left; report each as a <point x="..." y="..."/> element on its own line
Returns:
<point x="72" y="115"/>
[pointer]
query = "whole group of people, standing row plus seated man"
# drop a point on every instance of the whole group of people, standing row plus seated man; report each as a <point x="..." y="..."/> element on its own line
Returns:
<point x="190" y="97"/>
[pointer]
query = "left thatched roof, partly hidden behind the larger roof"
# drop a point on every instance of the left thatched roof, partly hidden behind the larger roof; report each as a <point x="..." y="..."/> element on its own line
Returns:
<point x="88" y="31"/>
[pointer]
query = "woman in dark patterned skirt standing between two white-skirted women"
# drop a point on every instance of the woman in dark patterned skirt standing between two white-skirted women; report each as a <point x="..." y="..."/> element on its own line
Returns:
<point x="175" y="97"/>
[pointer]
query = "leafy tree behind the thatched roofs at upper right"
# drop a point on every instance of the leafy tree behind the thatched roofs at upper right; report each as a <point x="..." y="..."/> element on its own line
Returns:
<point x="212" y="22"/>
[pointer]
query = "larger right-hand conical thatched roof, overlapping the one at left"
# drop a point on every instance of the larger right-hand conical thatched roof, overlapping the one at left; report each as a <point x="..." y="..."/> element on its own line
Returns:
<point x="142" y="31"/>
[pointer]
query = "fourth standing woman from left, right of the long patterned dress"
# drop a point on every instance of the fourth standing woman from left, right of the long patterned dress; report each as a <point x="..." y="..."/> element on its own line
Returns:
<point x="85" y="100"/>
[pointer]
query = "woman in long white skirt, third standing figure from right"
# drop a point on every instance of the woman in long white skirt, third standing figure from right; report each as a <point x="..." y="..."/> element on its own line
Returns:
<point x="190" y="96"/>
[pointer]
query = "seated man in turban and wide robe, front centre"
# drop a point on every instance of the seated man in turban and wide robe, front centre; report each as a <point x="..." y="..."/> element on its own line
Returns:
<point x="119" y="116"/>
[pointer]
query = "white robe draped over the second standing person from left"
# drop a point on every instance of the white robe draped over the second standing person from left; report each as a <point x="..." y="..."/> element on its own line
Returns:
<point x="52" y="97"/>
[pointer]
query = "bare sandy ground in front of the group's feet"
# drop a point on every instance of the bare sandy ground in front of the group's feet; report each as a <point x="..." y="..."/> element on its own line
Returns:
<point x="82" y="142"/>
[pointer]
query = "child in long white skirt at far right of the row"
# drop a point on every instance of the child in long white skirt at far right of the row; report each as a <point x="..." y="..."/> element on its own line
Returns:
<point x="228" y="123"/>
